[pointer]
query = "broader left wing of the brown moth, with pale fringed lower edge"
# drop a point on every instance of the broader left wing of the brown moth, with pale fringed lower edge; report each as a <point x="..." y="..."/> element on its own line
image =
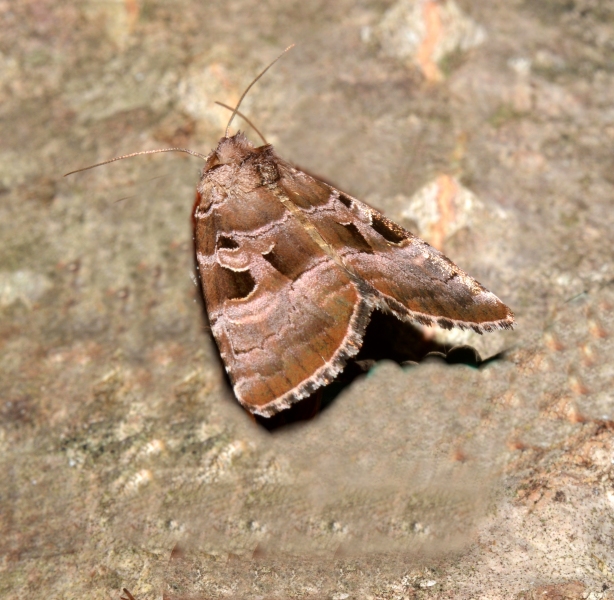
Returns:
<point x="285" y="316"/>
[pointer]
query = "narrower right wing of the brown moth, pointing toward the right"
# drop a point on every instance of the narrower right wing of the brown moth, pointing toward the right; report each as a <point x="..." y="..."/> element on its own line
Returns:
<point x="406" y="275"/>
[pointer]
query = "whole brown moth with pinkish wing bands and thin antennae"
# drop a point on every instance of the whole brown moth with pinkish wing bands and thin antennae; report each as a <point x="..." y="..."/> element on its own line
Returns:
<point x="292" y="270"/>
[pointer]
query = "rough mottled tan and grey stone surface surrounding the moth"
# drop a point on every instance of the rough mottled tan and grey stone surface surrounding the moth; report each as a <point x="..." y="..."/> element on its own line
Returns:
<point x="124" y="459"/>
